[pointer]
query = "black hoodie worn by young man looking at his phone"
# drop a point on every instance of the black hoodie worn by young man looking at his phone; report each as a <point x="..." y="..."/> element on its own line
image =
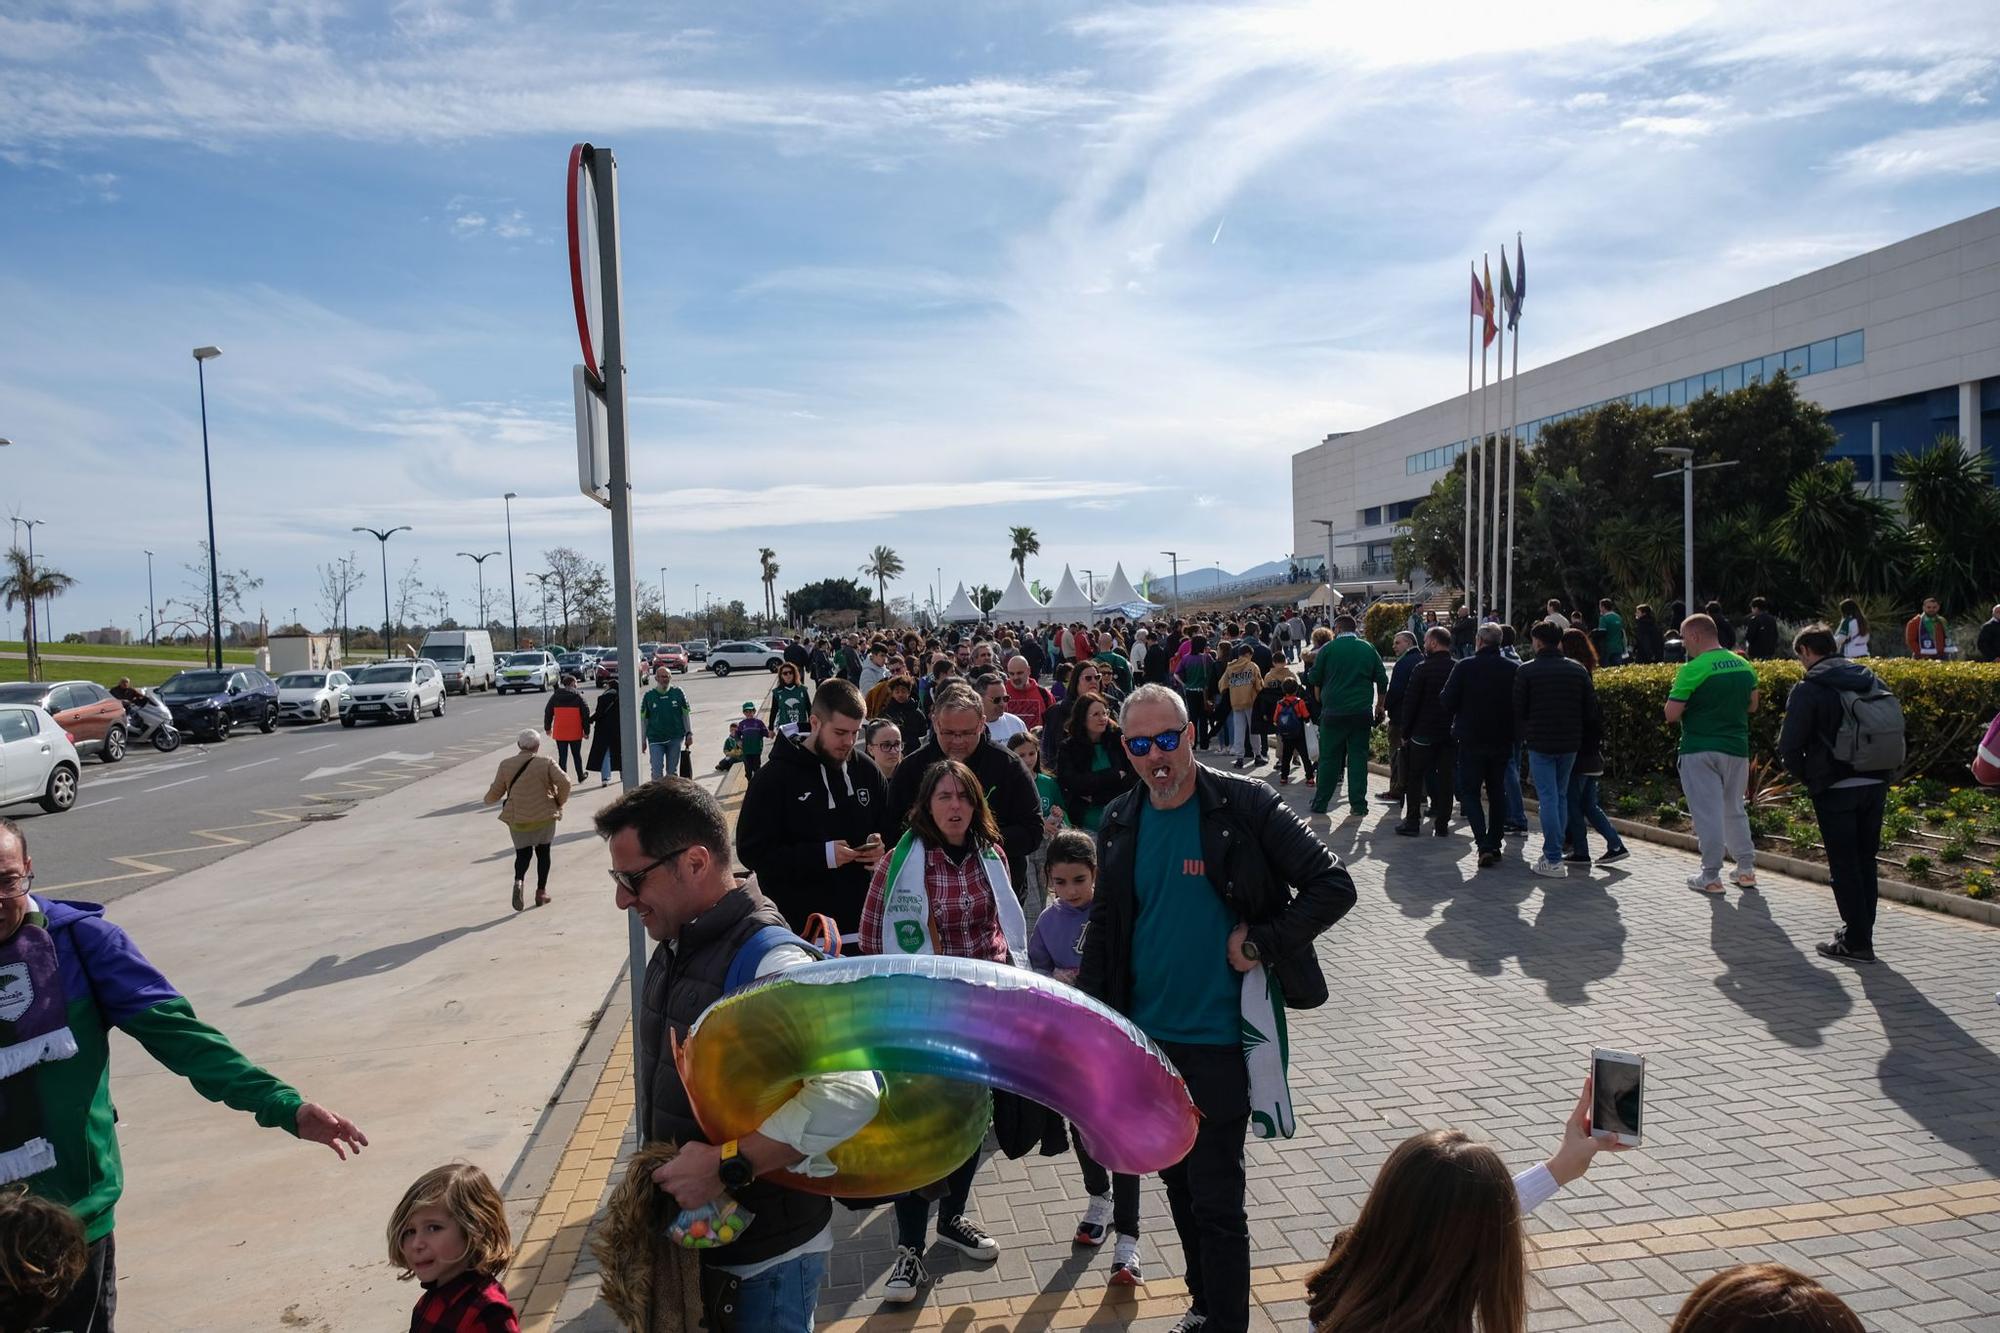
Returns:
<point x="795" y="808"/>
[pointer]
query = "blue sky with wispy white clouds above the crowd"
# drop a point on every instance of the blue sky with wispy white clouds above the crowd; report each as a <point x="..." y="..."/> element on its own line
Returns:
<point x="895" y="273"/>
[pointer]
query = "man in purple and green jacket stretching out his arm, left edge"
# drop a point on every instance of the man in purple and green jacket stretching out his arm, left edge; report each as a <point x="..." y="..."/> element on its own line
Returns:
<point x="69" y="976"/>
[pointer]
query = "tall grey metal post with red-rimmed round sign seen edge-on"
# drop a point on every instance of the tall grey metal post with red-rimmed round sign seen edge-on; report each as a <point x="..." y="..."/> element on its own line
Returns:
<point x="599" y="293"/>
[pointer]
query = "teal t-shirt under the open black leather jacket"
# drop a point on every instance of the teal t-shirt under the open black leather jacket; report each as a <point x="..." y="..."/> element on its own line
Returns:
<point x="1183" y="986"/>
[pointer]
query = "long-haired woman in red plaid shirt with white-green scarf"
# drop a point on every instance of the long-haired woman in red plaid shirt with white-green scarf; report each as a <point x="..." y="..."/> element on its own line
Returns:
<point x="955" y="834"/>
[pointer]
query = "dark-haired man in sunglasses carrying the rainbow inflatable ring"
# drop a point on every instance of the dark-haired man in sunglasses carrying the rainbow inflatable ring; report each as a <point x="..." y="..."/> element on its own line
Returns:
<point x="671" y="866"/>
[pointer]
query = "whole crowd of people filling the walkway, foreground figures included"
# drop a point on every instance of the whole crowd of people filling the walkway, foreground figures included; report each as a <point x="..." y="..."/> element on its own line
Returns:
<point x="1029" y="800"/>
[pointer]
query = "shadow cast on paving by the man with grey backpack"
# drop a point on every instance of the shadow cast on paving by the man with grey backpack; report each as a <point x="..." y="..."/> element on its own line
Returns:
<point x="1935" y="1070"/>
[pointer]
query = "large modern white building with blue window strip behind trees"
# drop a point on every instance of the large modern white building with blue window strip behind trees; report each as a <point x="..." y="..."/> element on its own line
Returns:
<point x="1899" y="345"/>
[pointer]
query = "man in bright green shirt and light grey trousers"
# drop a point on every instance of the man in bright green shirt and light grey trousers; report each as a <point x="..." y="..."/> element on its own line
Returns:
<point x="1713" y="700"/>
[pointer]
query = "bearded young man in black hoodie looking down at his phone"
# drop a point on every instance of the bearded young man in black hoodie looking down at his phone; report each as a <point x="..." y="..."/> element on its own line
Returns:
<point x="819" y="818"/>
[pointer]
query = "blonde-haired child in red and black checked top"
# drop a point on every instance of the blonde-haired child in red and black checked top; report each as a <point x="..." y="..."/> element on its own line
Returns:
<point x="451" y="1236"/>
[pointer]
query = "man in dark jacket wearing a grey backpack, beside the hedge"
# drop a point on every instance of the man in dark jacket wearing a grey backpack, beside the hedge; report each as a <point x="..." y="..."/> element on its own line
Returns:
<point x="1847" y="804"/>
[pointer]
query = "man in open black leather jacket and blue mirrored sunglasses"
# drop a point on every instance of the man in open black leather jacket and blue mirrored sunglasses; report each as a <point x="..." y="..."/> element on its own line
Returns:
<point x="1205" y="876"/>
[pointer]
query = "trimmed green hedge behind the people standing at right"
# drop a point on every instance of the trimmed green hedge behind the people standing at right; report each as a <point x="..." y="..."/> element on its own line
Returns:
<point x="1945" y="708"/>
